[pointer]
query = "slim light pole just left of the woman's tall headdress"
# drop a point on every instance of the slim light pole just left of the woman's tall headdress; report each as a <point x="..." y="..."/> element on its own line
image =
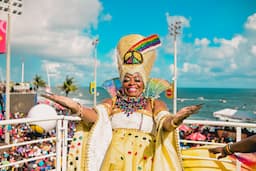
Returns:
<point x="95" y="43"/>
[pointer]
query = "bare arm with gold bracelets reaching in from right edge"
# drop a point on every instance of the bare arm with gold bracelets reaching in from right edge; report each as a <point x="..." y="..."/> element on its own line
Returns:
<point x="247" y="145"/>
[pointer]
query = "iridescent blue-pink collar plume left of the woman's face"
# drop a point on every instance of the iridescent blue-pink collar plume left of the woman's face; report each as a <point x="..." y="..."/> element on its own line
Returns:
<point x="112" y="86"/>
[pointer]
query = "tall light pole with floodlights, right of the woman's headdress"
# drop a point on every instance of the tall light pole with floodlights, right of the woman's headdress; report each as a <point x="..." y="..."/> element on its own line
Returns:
<point x="174" y="30"/>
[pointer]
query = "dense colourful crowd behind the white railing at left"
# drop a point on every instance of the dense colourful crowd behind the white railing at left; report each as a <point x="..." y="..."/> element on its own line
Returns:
<point x="23" y="133"/>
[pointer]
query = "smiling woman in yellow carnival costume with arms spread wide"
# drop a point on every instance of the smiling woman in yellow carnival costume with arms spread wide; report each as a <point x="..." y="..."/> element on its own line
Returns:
<point x="132" y="130"/>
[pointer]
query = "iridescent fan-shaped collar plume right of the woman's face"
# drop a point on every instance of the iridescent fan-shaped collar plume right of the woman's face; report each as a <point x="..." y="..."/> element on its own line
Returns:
<point x="156" y="86"/>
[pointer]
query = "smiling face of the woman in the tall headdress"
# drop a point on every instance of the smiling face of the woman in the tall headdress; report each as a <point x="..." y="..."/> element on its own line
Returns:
<point x="133" y="85"/>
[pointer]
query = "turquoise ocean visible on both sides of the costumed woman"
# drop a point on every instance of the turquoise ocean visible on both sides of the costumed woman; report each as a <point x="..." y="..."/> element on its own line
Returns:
<point x="213" y="99"/>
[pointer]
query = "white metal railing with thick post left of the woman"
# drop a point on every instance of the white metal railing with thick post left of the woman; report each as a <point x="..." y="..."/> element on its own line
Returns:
<point x="61" y="140"/>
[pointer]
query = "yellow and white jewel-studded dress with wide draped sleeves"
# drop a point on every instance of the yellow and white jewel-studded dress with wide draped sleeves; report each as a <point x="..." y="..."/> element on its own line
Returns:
<point x="147" y="148"/>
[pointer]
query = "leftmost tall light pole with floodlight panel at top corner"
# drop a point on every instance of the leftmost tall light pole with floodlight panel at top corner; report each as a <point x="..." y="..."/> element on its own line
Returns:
<point x="11" y="7"/>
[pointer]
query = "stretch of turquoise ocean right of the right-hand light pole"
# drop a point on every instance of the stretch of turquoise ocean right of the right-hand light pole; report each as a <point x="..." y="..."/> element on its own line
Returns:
<point x="215" y="99"/>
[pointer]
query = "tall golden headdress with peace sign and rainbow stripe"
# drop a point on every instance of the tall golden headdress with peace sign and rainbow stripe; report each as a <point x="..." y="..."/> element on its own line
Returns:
<point x="136" y="54"/>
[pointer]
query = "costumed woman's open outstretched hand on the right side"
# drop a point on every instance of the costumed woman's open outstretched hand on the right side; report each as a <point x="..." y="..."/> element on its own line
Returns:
<point x="184" y="113"/>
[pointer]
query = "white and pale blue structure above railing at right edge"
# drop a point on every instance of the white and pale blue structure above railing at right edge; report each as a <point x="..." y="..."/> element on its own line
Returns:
<point x="235" y="115"/>
